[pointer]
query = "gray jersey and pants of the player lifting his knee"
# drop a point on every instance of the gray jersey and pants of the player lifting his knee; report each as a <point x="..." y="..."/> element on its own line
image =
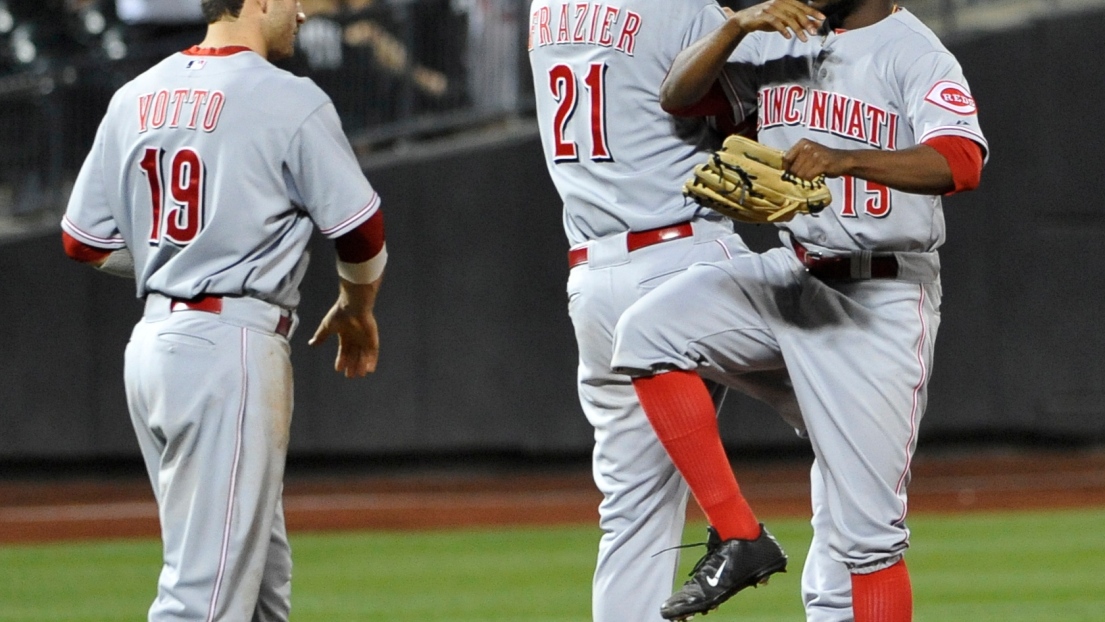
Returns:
<point x="859" y="351"/>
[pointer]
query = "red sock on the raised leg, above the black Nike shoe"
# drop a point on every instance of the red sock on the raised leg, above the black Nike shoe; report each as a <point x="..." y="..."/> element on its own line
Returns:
<point x="681" y="412"/>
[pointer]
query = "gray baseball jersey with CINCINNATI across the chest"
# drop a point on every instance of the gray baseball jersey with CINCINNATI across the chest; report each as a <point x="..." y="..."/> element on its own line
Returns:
<point x="890" y="87"/>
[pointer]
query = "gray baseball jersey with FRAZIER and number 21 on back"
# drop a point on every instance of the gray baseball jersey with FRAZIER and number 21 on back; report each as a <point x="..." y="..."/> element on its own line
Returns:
<point x="614" y="155"/>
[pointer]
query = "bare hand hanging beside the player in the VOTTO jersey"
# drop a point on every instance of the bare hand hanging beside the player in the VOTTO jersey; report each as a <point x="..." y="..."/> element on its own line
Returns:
<point x="353" y="321"/>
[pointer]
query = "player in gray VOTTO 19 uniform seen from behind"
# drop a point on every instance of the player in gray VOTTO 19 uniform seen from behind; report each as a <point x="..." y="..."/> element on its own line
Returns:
<point x="205" y="183"/>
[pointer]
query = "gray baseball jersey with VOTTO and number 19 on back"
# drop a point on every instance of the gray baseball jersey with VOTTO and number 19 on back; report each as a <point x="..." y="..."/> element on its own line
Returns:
<point x="209" y="171"/>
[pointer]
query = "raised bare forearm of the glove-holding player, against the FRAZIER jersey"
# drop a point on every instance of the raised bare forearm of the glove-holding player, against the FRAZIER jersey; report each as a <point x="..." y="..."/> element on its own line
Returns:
<point x="697" y="69"/>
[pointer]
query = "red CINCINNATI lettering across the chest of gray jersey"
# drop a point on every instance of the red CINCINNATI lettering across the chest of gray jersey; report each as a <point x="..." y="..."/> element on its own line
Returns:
<point x="823" y="111"/>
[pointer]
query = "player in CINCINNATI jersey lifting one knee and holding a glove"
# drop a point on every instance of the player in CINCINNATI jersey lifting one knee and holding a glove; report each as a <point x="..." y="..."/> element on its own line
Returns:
<point x="866" y="94"/>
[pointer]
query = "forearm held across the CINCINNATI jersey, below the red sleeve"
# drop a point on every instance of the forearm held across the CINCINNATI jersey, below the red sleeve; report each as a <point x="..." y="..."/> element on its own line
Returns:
<point x="920" y="171"/>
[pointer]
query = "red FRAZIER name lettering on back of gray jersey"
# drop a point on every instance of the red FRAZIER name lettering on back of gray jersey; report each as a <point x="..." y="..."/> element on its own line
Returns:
<point x="588" y="24"/>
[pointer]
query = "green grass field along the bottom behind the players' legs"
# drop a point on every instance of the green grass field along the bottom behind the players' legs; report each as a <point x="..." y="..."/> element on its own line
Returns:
<point x="1033" y="567"/>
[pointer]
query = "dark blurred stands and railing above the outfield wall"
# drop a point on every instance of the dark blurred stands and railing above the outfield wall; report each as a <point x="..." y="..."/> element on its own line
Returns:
<point x="398" y="71"/>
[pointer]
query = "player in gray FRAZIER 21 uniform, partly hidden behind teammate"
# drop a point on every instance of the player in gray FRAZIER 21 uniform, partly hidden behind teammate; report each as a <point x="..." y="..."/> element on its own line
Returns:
<point x="618" y="162"/>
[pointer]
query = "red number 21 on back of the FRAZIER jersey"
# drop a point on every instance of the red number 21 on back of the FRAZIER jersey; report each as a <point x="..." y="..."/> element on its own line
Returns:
<point x="565" y="87"/>
